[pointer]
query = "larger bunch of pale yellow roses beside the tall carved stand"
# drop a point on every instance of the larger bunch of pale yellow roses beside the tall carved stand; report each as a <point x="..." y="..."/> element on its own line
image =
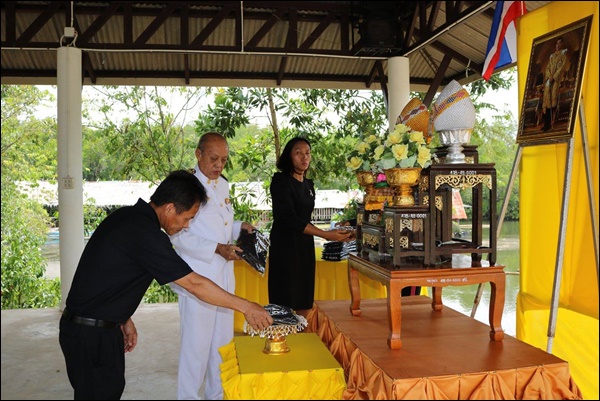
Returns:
<point x="403" y="148"/>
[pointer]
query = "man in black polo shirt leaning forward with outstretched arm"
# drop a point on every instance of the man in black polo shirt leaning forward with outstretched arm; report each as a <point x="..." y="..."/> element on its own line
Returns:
<point x="126" y="252"/>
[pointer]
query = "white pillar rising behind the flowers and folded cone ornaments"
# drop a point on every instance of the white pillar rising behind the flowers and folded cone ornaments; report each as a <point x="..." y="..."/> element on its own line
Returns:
<point x="398" y="87"/>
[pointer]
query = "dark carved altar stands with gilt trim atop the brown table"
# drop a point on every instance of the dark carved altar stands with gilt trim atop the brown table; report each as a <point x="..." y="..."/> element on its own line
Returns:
<point x="423" y="233"/>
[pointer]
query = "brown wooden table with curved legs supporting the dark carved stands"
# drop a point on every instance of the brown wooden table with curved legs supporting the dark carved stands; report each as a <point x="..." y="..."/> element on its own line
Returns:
<point x="437" y="277"/>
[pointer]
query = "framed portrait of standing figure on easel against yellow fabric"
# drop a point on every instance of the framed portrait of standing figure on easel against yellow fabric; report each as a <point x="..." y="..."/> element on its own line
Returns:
<point x="553" y="85"/>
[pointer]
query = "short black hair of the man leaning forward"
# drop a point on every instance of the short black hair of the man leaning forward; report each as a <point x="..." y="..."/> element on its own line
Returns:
<point x="181" y="188"/>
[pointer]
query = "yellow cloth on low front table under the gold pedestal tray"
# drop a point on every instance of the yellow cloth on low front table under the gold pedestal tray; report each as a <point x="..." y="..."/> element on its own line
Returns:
<point x="307" y="372"/>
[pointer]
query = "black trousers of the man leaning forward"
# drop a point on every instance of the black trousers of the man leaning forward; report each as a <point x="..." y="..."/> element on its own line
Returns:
<point x="95" y="359"/>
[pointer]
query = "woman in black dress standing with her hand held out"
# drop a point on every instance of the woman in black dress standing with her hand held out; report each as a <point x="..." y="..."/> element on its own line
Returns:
<point x="292" y="251"/>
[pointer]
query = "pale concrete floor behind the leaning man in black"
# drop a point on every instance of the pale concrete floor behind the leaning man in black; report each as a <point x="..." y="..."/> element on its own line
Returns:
<point x="33" y="367"/>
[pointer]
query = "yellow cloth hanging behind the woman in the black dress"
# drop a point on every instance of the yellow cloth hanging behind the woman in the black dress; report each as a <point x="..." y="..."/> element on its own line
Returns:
<point x="331" y="283"/>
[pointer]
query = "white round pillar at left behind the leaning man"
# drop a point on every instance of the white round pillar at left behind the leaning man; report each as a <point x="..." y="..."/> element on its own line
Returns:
<point x="70" y="176"/>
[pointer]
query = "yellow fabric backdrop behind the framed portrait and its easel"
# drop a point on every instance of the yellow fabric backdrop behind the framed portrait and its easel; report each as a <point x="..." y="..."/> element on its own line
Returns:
<point x="542" y="172"/>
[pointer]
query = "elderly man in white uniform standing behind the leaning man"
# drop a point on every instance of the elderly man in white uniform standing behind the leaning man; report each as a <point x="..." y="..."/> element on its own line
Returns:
<point x="207" y="246"/>
